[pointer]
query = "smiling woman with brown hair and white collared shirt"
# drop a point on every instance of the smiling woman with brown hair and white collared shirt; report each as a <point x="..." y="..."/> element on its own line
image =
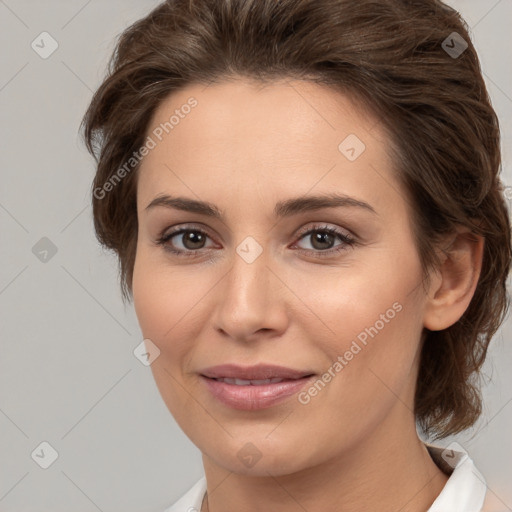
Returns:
<point x="304" y="196"/>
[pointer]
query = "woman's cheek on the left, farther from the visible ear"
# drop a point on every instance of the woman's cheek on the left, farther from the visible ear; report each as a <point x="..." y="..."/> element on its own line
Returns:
<point x="169" y="304"/>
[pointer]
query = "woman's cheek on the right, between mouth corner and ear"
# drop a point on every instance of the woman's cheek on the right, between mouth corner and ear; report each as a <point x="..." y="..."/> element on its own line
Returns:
<point x="367" y="323"/>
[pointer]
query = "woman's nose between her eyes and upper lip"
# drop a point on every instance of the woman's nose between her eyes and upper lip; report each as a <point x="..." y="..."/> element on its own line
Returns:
<point x="251" y="300"/>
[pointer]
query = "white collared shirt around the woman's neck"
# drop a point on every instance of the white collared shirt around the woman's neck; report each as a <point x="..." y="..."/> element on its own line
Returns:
<point x="464" y="490"/>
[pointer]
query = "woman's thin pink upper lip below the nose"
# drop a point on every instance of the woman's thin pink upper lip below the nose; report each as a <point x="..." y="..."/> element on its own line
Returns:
<point x="256" y="372"/>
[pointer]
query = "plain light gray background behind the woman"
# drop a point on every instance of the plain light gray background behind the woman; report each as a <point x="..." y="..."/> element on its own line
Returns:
<point x="68" y="375"/>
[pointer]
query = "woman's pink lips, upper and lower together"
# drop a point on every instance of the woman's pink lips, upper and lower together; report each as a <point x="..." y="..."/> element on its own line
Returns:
<point x="253" y="397"/>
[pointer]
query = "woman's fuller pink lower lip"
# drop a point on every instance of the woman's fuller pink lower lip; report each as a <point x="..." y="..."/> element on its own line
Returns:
<point x="251" y="397"/>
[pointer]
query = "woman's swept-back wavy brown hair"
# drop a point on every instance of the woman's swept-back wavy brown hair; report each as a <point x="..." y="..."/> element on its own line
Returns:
<point x="393" y="56"/>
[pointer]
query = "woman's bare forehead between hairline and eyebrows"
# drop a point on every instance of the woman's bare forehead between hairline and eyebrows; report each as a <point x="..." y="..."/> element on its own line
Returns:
<point x="255" y="136"/>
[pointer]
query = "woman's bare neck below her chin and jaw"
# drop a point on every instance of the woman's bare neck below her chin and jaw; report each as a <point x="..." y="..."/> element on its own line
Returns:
<point x="389" y="471"/>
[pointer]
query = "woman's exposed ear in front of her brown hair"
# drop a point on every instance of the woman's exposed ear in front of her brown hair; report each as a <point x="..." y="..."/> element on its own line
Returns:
<point x="452" y="287"/>
